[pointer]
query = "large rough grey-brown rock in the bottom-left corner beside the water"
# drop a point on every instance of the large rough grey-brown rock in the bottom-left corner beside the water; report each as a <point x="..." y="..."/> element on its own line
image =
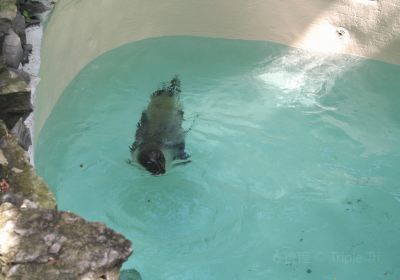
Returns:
<point x="46" y="244"/>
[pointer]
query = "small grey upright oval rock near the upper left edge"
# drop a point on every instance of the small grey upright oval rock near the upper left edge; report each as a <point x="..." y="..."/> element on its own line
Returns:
<point x="12" y="49"/>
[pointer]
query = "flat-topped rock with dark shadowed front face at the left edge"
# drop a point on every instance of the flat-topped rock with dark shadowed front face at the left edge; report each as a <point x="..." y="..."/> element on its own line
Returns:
<point x="15" y="97"/>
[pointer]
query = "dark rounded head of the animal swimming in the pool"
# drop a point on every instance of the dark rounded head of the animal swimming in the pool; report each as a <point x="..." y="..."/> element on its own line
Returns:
<point x="153" y="160"/>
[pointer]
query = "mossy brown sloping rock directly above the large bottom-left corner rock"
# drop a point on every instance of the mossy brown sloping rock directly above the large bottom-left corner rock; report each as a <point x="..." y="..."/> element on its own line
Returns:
<point x="25" y="184"/>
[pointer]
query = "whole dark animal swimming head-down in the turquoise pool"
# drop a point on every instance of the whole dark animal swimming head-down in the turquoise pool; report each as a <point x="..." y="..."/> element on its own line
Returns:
<point x="159" y="137"/>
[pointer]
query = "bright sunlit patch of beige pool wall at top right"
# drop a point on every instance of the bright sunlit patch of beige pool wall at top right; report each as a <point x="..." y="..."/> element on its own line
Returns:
<point x="368" y="28"/>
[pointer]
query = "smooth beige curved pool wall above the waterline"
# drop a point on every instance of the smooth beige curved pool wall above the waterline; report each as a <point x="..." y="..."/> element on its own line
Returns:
<point x="81" y="30"/>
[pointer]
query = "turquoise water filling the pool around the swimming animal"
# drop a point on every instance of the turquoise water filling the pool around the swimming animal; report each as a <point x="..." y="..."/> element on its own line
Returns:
<point x="295" y="161"/>
